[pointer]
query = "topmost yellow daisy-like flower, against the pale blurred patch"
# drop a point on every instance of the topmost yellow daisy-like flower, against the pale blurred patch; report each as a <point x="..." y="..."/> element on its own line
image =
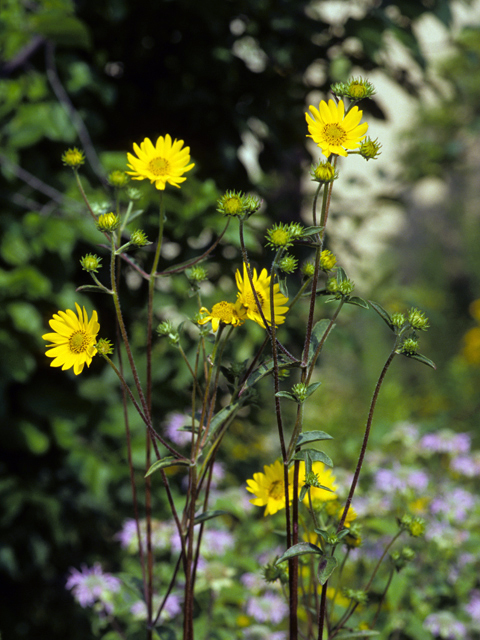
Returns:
<point x="332" y="130"/>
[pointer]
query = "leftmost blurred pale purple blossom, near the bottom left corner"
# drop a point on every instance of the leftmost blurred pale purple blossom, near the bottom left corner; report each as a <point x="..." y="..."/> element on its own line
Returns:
<point x="91" y="585"/>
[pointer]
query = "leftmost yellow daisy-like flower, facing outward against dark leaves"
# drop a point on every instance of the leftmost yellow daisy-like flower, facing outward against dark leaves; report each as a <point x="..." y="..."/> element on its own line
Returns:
<point x="73" y="343"/>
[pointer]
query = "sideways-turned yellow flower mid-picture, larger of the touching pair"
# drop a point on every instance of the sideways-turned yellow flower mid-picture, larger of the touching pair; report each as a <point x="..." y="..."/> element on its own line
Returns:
<point x="261" y="285"/>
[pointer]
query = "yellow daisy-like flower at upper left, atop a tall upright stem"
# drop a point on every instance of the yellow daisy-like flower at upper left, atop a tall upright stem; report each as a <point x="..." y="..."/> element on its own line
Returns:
<point x="167" y="161"/>
